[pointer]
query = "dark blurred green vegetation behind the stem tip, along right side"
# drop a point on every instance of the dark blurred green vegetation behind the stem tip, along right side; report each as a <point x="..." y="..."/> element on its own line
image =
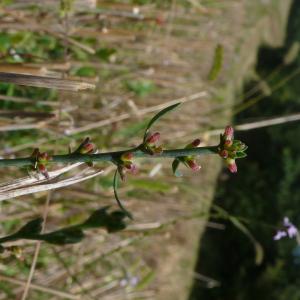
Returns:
<point x="264" y="191"/>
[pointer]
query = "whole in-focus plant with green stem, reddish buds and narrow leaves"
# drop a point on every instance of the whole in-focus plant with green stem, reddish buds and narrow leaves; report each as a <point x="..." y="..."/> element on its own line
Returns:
<point x="228" y="148"/>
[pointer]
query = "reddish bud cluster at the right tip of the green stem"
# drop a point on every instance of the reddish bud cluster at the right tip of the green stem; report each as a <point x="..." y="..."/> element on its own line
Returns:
<point x="231" y="149"/>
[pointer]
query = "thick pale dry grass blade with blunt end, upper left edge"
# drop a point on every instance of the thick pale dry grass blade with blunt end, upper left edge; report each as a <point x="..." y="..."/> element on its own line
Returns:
<point x="45" y="82"/>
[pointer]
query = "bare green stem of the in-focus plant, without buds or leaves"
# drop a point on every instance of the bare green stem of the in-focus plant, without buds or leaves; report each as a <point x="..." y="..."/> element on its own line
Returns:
<point x="110" y="156"/>
